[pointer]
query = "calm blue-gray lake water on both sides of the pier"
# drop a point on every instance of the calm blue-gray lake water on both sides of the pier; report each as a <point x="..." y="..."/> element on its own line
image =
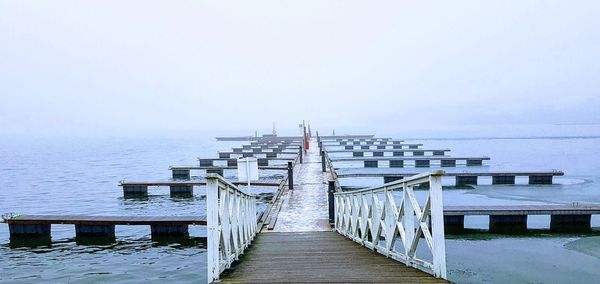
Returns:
<point x="80" y="176"/>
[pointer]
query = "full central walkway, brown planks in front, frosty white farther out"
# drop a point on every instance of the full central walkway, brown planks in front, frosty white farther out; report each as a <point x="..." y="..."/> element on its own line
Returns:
<point x="298" y="245"/>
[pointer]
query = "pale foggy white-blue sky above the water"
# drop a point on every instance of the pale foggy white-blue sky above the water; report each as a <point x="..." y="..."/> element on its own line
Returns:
<point x="136" y="67"/>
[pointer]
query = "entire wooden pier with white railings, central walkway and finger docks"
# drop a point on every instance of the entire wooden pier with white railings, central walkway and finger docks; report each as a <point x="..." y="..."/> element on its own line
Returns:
<point x="315" y="231"/>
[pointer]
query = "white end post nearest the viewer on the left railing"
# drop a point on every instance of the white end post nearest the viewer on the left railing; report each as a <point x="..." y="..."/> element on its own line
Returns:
<point x="212" y="224"/>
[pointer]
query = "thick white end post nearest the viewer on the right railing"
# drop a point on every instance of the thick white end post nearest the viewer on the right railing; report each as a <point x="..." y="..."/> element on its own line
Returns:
<point x="437" y="226"/>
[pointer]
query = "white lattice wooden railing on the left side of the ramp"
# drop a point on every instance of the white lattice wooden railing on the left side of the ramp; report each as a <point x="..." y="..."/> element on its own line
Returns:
<point x="231" y="222"/>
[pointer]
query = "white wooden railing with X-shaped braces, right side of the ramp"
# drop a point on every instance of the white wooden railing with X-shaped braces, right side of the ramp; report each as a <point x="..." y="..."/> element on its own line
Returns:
<point x="372" y="218"/>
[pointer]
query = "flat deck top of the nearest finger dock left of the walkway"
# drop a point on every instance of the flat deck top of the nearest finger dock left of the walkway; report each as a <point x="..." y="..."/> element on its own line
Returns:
<point x="107" y="220"/>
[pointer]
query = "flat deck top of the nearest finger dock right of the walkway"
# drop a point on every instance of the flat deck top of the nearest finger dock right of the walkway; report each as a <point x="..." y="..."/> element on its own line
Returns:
<point x="582" y="209"/>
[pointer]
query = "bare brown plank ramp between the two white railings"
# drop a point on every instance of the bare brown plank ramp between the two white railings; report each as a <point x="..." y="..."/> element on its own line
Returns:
<point x="317" y="257"/>
